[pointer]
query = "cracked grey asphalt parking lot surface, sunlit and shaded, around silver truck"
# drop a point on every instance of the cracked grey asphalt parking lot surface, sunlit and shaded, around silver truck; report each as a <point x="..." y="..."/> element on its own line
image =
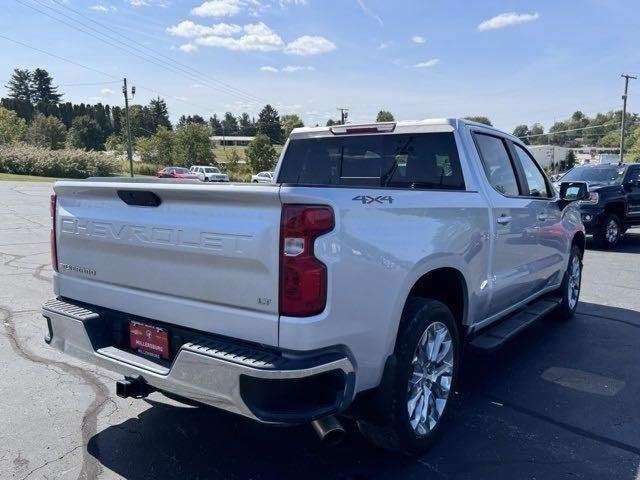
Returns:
<point x="560" y="401"/>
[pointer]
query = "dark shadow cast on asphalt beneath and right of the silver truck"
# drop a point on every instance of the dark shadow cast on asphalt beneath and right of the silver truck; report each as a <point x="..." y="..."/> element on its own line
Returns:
<point x="484" y="438"/>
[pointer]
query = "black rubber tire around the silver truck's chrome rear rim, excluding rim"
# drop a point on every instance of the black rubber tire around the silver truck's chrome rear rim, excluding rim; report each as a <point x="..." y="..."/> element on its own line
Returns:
<point x="390" y="426"/>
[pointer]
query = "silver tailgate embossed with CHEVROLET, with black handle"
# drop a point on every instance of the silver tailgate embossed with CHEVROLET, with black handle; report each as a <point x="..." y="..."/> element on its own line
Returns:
<point x="206" y="257"/>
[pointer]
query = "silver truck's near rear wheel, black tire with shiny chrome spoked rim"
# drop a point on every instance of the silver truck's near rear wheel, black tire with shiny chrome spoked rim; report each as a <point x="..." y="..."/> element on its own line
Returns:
<point x="423" y="379"/>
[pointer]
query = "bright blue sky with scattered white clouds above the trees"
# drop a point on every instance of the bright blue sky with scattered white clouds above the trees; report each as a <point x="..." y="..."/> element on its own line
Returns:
<point x="517" y="62"/>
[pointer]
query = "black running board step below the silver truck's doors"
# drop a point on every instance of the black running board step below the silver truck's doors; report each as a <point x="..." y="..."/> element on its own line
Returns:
<point x="498" y="334"/>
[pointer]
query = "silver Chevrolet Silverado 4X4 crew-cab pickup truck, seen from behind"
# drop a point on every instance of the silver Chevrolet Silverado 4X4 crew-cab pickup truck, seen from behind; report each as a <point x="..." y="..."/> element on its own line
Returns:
<point x="348" y="287"/>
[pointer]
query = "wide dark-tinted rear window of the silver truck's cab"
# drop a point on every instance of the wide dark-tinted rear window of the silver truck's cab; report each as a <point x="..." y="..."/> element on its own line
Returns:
<point x="422" y="161"/>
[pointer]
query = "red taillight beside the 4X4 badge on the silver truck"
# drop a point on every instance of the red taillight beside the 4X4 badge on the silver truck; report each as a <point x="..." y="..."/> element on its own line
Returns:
<point x="303" y="278"/>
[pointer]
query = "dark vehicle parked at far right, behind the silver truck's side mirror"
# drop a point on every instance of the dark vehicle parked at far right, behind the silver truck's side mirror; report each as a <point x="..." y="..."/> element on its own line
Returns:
<point x="614" y="200"/>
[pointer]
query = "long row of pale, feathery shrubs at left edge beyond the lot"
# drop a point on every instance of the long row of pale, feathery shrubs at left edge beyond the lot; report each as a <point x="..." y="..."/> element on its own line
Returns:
<point x="25" y="159"/>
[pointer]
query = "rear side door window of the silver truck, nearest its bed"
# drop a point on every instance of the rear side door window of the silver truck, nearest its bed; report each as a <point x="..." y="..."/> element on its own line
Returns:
<point x="497" y="164"/>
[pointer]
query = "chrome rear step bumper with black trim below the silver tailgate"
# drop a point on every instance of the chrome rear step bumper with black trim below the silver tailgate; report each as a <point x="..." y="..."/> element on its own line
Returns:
<point x="264" y="384"/>
